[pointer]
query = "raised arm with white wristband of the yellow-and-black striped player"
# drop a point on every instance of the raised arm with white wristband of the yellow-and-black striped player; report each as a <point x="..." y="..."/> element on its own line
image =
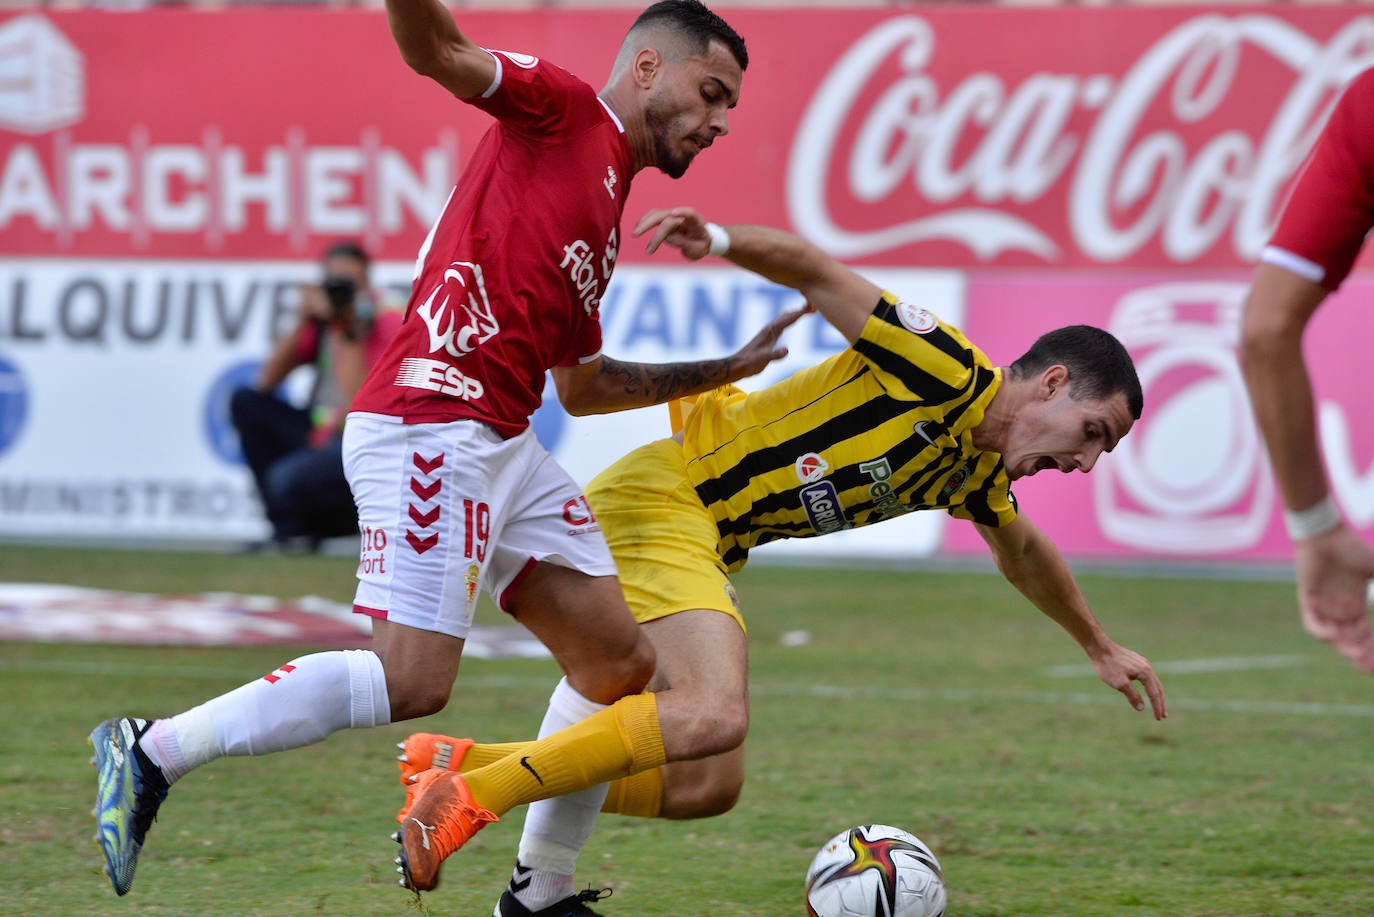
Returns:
<point x="842" y="296"/>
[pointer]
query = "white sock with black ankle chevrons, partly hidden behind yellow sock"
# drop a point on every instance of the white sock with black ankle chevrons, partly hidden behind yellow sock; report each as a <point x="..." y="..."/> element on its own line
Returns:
<point x="557" y="830"/>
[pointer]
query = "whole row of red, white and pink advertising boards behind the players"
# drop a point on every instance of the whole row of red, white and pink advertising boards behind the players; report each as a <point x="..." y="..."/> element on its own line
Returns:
<point x="168" y="181"/>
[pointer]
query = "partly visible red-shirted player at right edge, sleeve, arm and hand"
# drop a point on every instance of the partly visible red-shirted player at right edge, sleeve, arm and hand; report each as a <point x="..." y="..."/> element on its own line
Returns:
<point x="1324" y="226"/>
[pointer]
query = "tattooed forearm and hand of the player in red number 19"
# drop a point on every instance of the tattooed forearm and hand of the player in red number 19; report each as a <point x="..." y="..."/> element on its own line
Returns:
<point x="607" y="384"/>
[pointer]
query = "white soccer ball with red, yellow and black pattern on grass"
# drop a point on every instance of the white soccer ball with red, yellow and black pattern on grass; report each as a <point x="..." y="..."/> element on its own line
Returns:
<point x="875" y="871"/>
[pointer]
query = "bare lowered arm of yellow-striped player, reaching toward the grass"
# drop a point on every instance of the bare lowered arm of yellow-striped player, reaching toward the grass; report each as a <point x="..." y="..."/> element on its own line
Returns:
<point x="1031" y="563"/>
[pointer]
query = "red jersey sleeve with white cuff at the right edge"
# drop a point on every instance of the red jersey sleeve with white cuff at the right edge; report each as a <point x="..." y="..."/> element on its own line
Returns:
<point x="1332" y="207"/>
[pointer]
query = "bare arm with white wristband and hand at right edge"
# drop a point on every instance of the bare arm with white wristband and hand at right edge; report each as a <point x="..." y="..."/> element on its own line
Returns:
<point x="1333" y="564"/>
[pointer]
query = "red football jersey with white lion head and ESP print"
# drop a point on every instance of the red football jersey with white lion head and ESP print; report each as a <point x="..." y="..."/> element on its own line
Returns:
<point x="510" y="278"/>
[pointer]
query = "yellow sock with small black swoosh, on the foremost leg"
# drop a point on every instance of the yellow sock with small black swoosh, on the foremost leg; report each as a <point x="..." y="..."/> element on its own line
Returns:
<point x="622" y="740"/>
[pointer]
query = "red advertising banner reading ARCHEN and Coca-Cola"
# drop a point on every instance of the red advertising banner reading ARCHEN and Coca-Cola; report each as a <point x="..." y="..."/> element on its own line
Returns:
<point x="1060" y="138"/>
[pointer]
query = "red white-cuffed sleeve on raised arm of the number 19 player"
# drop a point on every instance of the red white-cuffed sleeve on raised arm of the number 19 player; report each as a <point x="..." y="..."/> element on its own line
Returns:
<point x="538" y="98"/>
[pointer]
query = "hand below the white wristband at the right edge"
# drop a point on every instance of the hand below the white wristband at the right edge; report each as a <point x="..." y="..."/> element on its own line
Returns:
<point x="1333" y="575"/>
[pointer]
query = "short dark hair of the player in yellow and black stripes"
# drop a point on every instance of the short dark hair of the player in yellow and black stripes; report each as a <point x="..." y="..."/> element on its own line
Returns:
<point x="1099" y="365"/>
